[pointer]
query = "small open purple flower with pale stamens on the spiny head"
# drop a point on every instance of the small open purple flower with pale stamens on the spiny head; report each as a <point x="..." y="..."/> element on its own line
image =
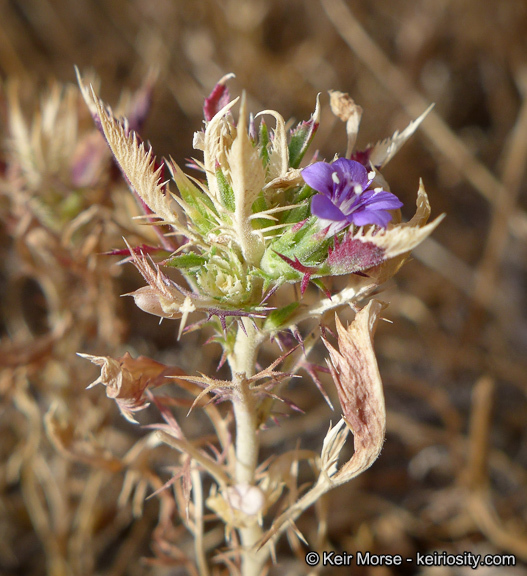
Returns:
<point x="345" y="197"/>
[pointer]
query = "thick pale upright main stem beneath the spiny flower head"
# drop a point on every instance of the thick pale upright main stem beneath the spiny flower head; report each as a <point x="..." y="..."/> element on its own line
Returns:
<point x="242" y="362"/>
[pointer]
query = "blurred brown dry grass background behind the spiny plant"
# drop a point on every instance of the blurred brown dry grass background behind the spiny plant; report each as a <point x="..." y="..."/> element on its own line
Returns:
<point x="453" y="472"/>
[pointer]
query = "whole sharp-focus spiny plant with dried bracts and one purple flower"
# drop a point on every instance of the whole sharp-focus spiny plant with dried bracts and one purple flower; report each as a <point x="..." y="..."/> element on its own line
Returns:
<point x="251" y="223"/>
